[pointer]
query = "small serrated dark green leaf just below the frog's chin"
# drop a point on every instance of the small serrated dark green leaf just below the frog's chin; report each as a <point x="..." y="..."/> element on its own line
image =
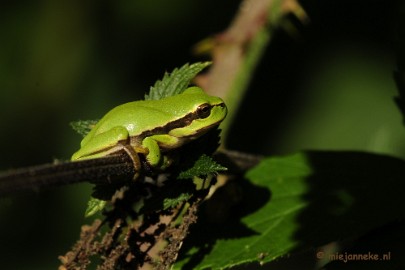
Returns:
<point x="204" y="165"/>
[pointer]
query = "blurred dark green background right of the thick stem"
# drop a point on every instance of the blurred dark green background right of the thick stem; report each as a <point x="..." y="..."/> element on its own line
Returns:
<point x="328" y="85"/>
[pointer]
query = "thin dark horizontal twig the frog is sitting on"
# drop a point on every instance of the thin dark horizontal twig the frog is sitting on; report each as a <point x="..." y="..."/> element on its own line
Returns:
<point x="98" y="171"/>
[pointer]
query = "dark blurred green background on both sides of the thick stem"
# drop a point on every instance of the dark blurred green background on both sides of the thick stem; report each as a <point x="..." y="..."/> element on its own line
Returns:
<point x="328" y="85"/>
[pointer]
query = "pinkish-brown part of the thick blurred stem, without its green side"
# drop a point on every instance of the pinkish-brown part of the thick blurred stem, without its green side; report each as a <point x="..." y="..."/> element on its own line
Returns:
<point x="229" y="48"/>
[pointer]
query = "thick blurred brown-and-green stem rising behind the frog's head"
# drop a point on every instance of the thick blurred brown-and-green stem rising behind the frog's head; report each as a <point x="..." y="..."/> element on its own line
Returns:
<point x="237" y="51"/>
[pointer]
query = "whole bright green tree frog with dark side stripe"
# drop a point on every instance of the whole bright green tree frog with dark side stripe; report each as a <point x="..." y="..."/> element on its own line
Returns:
<point x="152" y="127"/>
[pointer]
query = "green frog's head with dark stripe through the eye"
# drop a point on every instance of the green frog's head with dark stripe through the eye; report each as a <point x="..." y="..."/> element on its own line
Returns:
<point x="204" y="113"/>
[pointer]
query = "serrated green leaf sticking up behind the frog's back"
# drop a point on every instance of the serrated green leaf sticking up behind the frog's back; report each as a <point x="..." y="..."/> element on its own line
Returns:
<point x="176" y="82"/>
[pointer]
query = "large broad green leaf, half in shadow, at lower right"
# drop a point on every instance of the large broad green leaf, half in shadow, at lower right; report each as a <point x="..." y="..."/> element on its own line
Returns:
<point x="296" y="203"/>
